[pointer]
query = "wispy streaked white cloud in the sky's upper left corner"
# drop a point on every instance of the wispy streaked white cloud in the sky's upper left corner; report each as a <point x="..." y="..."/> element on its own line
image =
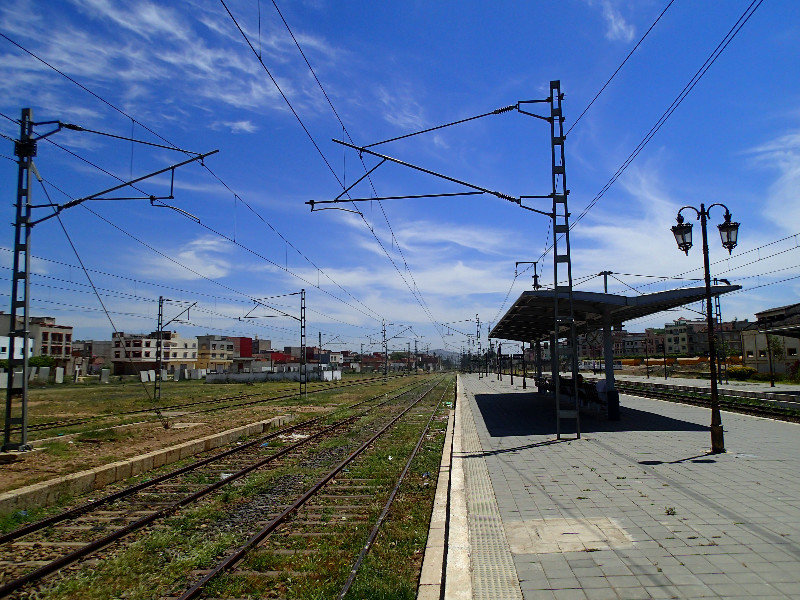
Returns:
<point x="155" y="45"/>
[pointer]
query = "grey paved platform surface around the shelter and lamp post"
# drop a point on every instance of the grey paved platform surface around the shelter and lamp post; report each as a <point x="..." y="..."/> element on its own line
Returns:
<point x="634" y="509"/>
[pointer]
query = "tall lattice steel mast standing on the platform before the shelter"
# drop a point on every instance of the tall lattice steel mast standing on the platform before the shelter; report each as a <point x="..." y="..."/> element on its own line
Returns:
<point x="563" y="309"/>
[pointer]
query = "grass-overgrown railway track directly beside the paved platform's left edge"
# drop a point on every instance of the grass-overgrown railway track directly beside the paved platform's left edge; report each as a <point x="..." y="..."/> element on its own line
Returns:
<point x="335" y="510"/>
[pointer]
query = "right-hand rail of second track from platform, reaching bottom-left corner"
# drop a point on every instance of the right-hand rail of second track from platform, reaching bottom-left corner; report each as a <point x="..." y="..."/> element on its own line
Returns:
<point x="104" y="541"/>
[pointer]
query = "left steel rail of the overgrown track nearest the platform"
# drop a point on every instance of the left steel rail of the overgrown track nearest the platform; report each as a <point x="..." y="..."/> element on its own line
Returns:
<point x="236" y="556"/>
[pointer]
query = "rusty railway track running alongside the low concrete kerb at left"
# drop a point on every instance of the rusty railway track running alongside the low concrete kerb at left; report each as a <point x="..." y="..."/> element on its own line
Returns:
<point x="38" y="550"/>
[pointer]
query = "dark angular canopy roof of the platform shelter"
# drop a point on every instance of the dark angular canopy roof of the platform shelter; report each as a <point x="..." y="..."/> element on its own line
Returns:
<point x="531" y="316"/>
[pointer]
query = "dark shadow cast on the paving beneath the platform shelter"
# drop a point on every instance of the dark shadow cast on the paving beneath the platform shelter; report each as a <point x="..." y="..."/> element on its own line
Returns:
<point x="521" y="414"/>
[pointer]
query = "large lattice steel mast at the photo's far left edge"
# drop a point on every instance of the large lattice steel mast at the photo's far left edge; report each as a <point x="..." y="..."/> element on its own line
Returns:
<point x="25" y="150"/>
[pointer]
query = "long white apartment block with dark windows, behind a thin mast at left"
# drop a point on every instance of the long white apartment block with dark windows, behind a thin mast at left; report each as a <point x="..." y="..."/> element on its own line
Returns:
<point x="134" y="352"/>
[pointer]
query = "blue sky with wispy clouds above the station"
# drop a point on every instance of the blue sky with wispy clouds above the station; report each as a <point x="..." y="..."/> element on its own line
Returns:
<point x="183" y="70"/>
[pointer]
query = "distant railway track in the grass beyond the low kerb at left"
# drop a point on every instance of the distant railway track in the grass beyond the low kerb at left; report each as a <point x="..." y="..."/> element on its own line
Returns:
<point x="236" y="401"/>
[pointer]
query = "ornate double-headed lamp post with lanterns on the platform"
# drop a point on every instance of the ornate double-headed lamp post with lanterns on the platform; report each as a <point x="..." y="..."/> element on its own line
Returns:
<point x="728" y="231"/>
